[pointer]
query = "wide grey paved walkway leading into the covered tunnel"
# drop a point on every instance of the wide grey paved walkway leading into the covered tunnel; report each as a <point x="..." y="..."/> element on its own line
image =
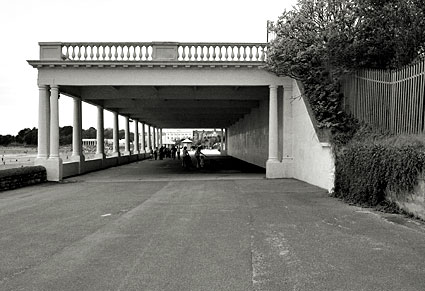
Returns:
<point x="152" y="226"/>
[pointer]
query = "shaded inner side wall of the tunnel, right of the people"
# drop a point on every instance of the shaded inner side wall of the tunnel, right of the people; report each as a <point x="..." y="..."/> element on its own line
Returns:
<point x="248" y="138"/>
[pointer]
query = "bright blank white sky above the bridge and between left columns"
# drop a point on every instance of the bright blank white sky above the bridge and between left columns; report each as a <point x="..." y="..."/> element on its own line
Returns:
<point x="25" y="23"/>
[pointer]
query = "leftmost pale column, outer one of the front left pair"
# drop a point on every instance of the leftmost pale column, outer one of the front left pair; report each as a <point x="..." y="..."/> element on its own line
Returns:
<point x="43" y="124"/>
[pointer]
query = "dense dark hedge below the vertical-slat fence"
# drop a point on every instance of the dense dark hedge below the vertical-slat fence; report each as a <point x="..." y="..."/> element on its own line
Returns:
<point x="365" y="171"/>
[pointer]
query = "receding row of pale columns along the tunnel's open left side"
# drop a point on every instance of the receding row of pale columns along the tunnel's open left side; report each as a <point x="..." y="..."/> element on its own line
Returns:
<point x="48" y="133"/>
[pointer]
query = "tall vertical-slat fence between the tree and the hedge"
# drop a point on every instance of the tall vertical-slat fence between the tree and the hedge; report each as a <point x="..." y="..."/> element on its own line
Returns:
<point x="388" y="100"/>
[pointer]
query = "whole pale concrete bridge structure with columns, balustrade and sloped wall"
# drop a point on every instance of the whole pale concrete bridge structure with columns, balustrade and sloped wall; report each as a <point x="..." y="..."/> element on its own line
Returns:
<point x="179" y="85"/>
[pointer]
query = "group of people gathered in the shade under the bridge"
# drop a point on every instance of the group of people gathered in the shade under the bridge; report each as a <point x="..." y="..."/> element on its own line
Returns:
<point x="174" y="153"/>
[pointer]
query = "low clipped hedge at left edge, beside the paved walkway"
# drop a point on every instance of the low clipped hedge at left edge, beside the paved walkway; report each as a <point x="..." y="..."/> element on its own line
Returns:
<point x="20" y="177"/>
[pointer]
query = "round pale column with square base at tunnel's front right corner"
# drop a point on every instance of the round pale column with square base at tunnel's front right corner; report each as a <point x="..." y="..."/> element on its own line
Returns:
<point x="273" y="166"/>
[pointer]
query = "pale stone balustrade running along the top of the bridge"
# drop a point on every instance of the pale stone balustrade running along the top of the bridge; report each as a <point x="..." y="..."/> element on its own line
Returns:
<point x="152" y="51"/>
